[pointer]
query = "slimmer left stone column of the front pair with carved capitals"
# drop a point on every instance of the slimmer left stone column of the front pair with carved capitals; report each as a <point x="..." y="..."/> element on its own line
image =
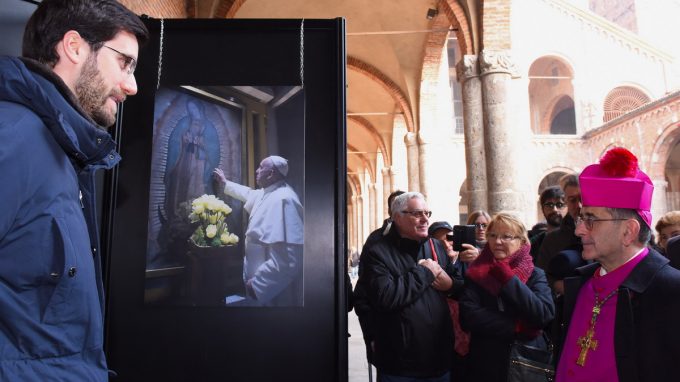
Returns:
<point x="475" y="159"/>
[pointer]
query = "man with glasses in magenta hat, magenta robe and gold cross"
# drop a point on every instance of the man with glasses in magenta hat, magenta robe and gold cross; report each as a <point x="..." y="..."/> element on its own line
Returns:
<point x="621" y="312"/>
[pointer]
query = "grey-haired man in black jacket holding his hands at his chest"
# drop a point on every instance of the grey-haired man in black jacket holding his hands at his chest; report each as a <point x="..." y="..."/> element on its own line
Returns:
<point x="406" y="284"/>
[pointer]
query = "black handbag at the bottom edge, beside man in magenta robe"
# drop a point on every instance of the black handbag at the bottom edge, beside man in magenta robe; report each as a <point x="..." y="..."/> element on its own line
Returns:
<point x="531" y="364"/>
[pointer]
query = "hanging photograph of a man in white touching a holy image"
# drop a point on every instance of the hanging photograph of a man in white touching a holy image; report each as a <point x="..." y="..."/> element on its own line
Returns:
<point x="208" y="247"/>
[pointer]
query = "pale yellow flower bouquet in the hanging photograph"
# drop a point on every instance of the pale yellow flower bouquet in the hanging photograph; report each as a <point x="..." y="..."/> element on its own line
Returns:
<point x="212" y="231"/>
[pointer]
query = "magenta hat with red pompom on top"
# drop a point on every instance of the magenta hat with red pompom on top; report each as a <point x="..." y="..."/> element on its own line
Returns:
<point x="617" y="182"/>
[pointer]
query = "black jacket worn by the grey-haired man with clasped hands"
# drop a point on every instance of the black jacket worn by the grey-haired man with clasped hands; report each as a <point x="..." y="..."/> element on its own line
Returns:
<point x="411" y="325"/>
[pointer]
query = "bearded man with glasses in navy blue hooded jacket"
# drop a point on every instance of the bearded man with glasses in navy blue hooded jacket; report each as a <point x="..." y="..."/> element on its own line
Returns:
<point x="55" y="105"/>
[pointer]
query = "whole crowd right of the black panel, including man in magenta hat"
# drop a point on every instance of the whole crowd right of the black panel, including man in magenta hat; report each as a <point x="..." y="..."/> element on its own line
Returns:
<point x="590" y="286"/>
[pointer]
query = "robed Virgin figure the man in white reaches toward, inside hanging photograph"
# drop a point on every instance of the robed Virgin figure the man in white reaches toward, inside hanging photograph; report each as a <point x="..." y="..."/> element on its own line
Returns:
<point x="193" y="151"/>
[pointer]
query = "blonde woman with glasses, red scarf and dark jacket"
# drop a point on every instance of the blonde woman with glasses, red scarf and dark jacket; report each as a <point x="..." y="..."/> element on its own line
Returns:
<point x="505" y="299"/>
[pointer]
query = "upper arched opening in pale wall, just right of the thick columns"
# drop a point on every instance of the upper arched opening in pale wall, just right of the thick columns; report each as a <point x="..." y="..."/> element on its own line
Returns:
<point x="551" y="97"/>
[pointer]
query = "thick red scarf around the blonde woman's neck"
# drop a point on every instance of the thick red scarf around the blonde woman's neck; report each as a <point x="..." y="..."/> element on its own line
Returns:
<point x="520" y="263"/>
